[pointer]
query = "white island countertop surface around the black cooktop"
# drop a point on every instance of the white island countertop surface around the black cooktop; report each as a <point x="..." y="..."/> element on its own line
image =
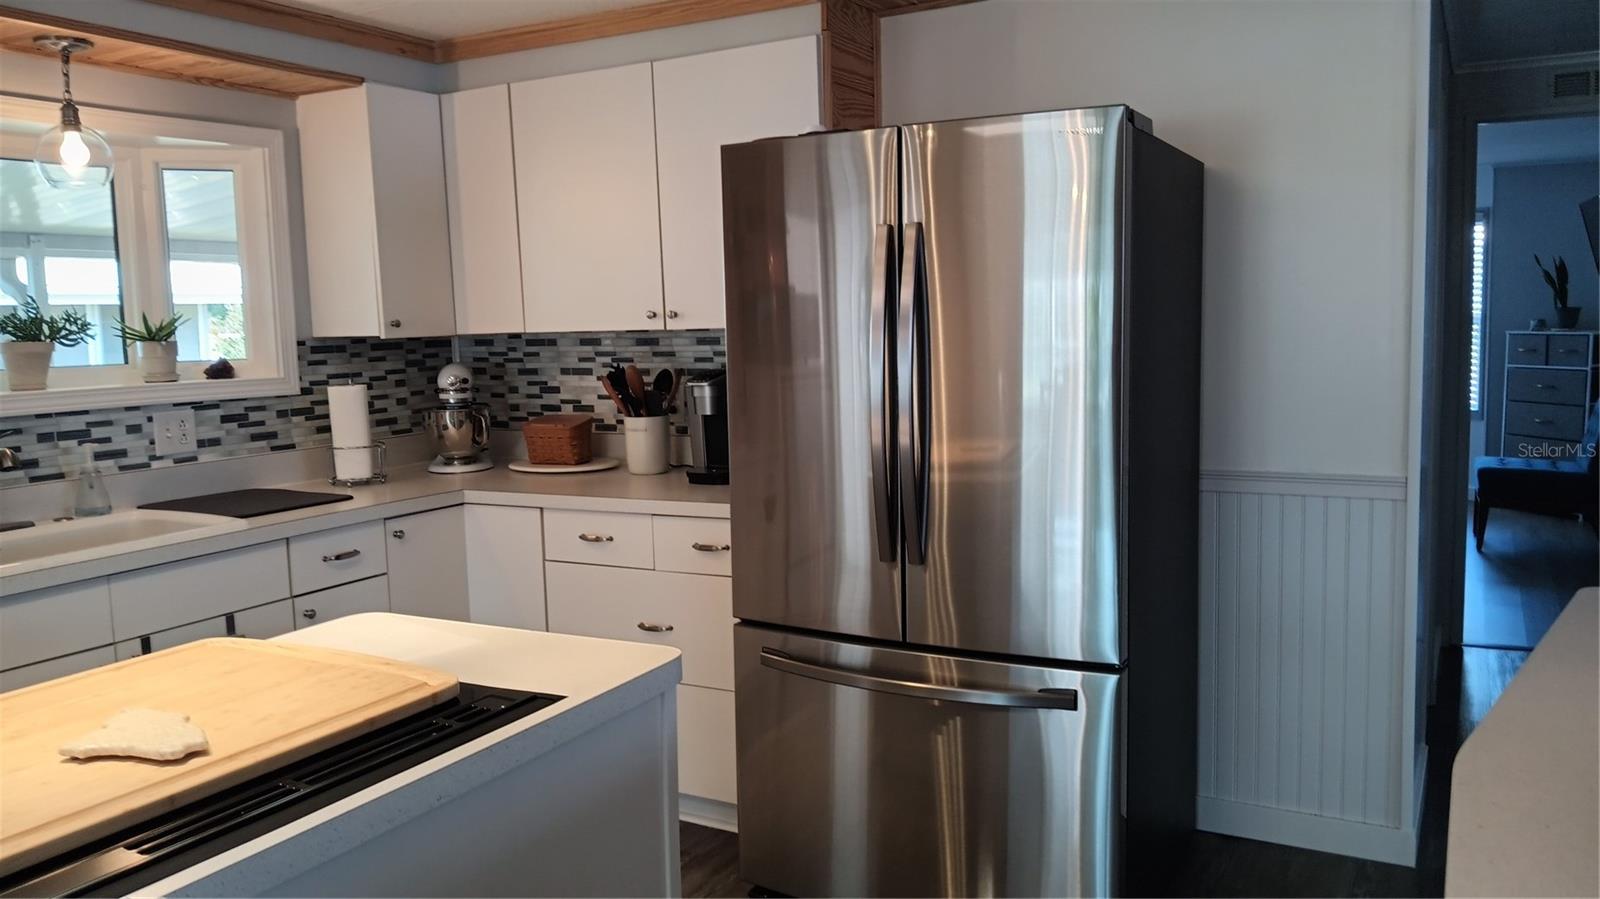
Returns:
<point x="601" y="681"/>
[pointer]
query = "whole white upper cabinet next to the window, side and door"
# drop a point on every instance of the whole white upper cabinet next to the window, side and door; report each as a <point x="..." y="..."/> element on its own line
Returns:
<point x="377" y="226"/>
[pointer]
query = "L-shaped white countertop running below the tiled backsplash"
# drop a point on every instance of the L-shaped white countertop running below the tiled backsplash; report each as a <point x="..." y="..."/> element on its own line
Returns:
<point x="414" y="489"/>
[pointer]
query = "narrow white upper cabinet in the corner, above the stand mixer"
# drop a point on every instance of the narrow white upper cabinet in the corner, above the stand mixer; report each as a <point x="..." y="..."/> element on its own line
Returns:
<point x="481" y="185"/>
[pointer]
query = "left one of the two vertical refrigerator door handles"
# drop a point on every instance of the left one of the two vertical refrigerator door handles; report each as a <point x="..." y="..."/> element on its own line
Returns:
<point x="881" y="356"/>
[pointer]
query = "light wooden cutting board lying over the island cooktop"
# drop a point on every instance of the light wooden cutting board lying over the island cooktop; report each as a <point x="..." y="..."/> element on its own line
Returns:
<point x="260" y="705"/>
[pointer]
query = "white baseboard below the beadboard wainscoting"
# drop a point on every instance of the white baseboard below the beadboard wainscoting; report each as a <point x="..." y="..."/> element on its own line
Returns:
<point x="1391" y="845"/>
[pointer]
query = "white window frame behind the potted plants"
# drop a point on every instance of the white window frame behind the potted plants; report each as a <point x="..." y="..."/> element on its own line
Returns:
<point x="145" y="146"/>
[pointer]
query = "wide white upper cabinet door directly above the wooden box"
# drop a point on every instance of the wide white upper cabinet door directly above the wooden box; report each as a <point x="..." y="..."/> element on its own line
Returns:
<point x="586" y="201"/>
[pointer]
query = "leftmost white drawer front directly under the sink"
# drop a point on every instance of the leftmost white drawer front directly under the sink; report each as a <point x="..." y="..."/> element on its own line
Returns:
<point x="55" y="621"/>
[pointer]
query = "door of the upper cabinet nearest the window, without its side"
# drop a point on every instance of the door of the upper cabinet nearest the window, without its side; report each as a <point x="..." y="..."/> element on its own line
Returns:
<point x="414" y="226"/>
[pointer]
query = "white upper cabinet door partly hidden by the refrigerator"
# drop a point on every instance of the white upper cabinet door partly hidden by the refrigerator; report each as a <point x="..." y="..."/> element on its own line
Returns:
<point x="706" y="102"/>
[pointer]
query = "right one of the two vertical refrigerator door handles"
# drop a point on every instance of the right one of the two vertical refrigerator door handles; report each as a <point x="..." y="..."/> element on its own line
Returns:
<point x="913" y="426"/>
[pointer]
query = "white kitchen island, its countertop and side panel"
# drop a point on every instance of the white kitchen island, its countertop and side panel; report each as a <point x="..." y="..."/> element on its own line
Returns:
<point x="578" y="799"/>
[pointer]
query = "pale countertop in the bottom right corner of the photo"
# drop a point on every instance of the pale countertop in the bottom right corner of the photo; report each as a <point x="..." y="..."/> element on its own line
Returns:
<point x="1526" y="789"/>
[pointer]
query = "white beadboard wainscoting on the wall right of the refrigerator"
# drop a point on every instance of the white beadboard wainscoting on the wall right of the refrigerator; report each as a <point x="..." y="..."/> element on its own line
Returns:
<point x="1305" y="727"/>
